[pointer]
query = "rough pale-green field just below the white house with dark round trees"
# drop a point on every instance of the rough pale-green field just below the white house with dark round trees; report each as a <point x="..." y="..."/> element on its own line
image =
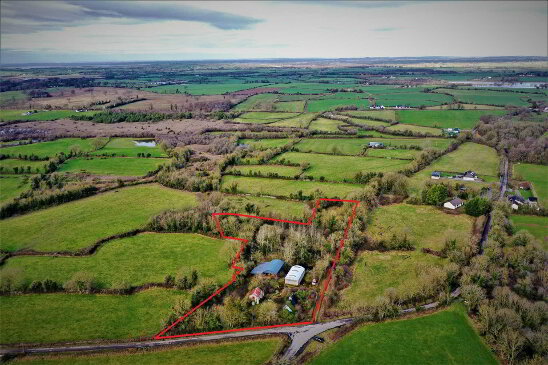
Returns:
<point x="424" y="225"/>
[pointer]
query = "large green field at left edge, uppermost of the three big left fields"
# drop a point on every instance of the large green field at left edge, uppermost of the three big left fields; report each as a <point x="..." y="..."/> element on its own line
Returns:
<point x="81" y="223"/>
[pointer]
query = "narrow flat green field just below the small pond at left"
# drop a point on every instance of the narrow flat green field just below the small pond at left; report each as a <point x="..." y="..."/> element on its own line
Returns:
<point x="118" y="166"/>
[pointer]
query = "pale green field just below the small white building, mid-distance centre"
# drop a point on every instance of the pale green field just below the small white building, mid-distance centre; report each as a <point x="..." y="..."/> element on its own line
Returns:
<point x="339" y="168"/>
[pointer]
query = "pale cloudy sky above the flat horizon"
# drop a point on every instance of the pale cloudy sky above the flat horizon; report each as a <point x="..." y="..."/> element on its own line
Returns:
<point x="96" y="31"/>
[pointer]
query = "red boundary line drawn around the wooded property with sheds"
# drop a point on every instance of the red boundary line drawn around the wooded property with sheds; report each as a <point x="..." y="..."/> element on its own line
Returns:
<point x="238" y="270"/>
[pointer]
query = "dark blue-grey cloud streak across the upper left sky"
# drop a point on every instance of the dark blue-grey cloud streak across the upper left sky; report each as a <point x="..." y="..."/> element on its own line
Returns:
<point x="25" y="16"/>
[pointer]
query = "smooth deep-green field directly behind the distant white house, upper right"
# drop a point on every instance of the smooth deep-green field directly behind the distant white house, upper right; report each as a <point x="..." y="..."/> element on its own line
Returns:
<point x="464" y="119"/>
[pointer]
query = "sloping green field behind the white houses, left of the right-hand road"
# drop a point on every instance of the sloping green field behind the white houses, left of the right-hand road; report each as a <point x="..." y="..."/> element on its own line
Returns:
<point x="469" y="156"/>
